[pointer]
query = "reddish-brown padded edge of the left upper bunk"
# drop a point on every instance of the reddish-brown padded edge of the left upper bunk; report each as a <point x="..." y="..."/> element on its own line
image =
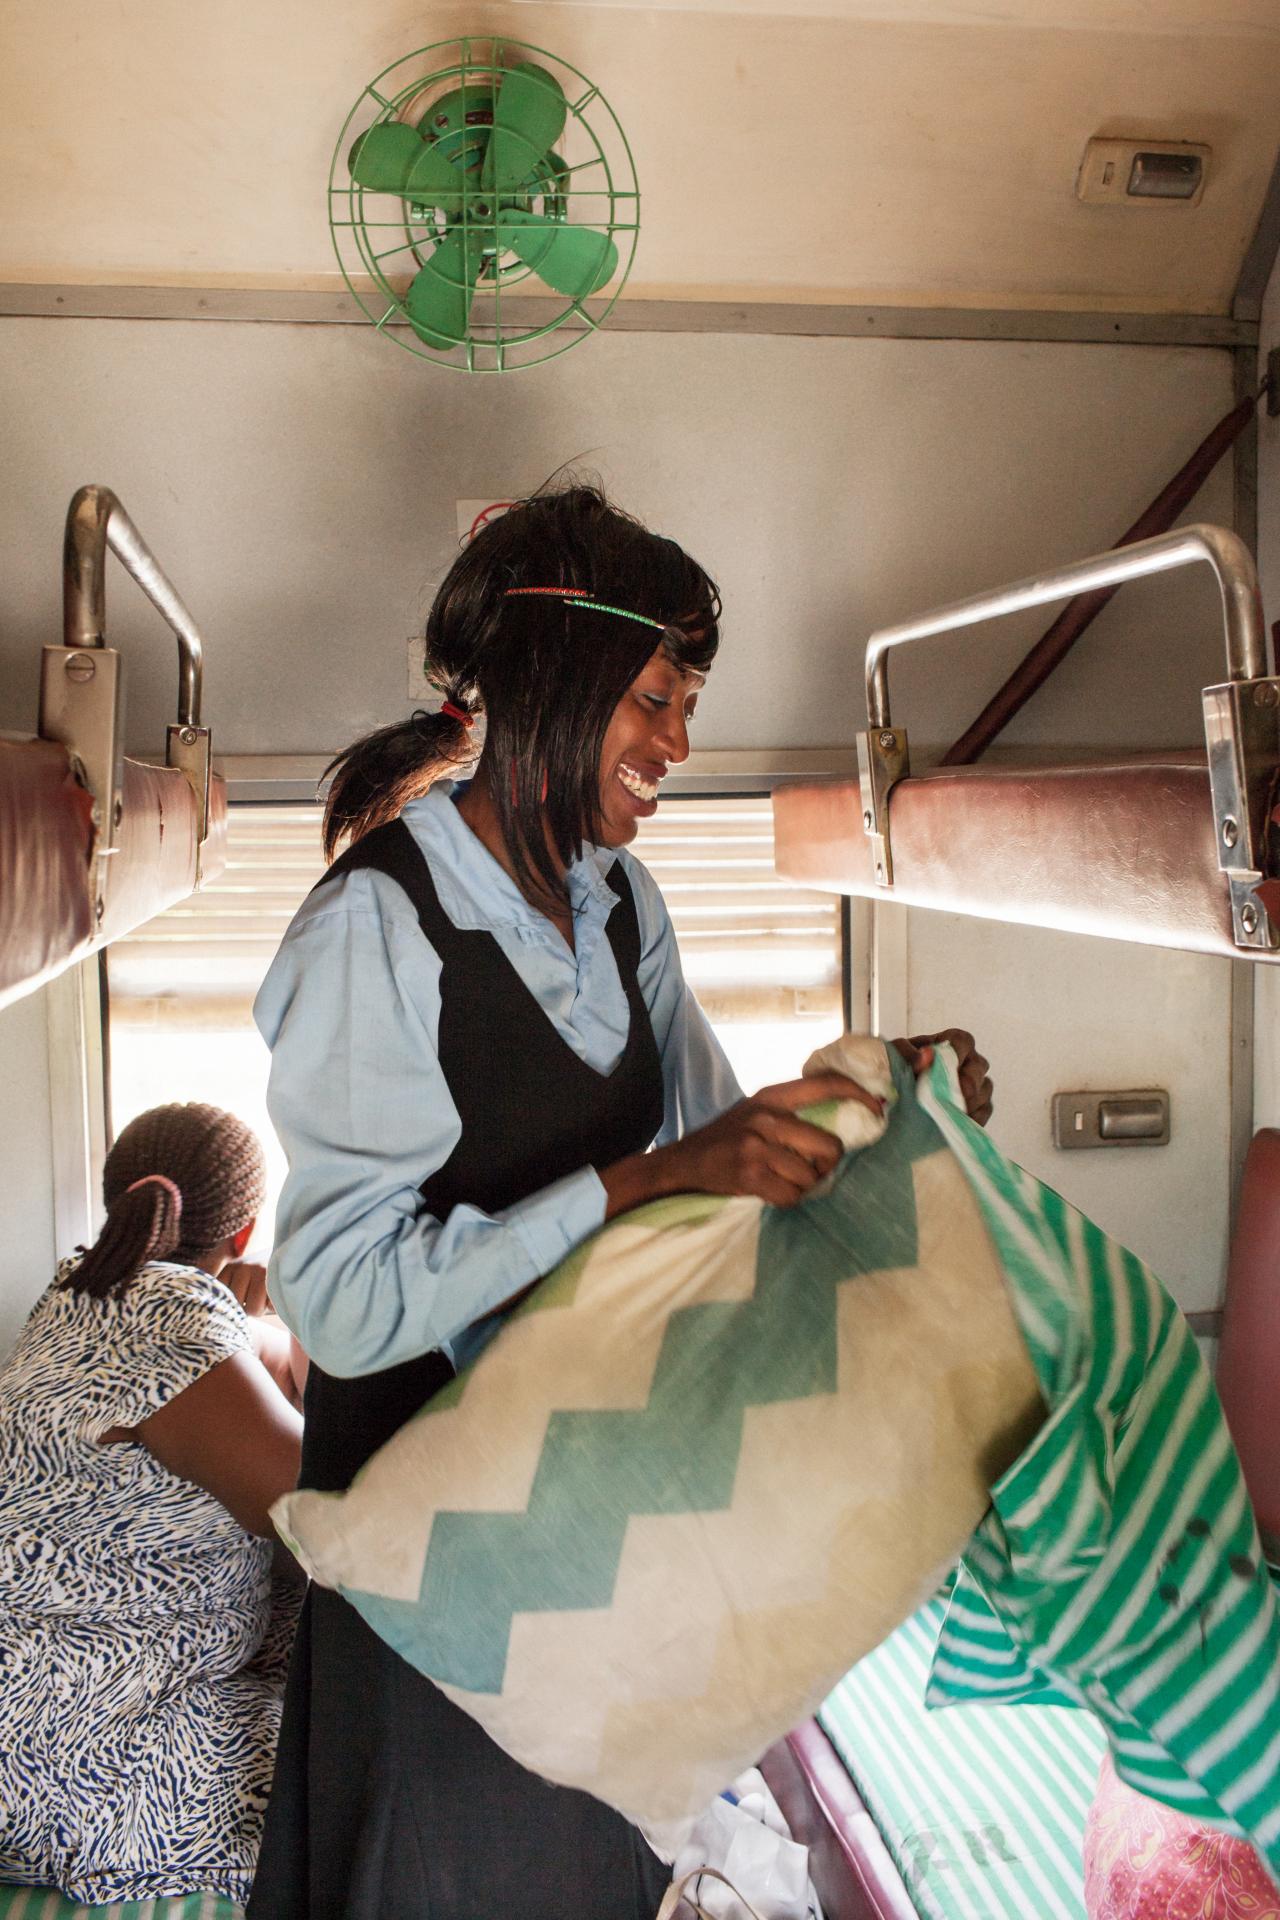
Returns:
<point x="49" y="852"/>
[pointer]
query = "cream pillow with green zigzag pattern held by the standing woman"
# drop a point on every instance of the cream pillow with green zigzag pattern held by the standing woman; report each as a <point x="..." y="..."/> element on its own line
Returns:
<point x="713" y="1462"/>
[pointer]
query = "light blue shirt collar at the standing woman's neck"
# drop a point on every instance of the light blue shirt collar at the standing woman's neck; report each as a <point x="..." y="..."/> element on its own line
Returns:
<point x="473" y="888"/>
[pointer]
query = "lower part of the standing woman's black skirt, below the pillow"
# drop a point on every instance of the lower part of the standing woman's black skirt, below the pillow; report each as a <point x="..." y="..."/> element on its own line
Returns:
<point x="392" y="1804"/>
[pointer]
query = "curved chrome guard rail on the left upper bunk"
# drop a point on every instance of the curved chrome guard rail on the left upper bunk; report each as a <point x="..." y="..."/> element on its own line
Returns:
<point x="95" y="523"/>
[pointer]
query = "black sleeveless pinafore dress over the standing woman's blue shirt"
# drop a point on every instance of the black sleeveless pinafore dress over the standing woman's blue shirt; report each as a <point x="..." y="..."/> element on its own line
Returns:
<point x="389" y="1802"/>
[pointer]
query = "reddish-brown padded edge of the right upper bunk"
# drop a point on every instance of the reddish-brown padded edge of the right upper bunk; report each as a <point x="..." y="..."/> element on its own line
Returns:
<point x="1124" y="850"/>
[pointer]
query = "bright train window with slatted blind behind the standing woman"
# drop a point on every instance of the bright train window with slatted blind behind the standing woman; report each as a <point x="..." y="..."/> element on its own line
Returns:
<point x="767" y="959"/>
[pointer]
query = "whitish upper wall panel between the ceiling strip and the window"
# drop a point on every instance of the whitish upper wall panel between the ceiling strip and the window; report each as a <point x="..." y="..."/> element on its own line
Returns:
<point x="300" y="487"/>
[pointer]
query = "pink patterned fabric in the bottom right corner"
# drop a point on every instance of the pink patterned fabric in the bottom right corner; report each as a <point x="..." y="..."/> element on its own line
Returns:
<point x="1145" y="1861"/>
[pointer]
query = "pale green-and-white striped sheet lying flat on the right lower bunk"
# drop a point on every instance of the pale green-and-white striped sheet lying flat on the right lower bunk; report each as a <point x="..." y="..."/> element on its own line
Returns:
<point x="984" y="1812"/>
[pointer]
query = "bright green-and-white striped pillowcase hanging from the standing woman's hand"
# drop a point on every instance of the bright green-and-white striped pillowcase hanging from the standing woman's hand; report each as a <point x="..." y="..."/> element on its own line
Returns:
<point x="1120" y="1566"/>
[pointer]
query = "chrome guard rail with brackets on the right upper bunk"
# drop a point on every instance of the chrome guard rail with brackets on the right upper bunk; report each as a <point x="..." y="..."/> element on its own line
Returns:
<point x="1243" y="717"/>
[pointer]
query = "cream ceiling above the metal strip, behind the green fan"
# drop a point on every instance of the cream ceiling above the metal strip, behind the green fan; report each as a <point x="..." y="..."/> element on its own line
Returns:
<point x="841" y="151"/>
